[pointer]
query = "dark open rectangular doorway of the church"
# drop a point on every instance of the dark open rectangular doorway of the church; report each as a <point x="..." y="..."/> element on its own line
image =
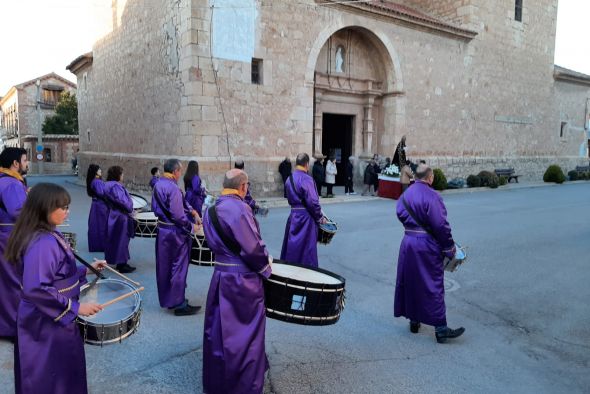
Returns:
<point x="337" y="141"/>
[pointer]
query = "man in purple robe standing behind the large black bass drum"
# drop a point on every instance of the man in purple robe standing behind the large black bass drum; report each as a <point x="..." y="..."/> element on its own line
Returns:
<point x="301" y="231"/>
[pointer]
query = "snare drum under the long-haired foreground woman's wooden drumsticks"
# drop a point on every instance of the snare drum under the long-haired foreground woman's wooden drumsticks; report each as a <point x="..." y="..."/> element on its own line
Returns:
<point x="115" y="322"/>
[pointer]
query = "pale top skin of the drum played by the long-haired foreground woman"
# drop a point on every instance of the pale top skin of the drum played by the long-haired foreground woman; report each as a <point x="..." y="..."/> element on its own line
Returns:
<point x="105" y="290"/>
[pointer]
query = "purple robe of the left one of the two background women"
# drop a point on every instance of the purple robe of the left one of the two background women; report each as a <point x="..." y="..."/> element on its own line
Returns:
<point x="97" y="219"/>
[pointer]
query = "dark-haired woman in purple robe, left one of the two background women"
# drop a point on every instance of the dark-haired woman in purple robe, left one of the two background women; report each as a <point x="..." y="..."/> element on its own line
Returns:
<point x="99" y="211"/>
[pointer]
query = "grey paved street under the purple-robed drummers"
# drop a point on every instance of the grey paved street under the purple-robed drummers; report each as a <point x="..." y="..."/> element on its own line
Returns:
<point x="523" y="297"/>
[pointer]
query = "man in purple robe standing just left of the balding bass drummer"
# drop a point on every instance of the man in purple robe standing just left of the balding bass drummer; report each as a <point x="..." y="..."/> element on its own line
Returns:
<point x="174" y="240"/>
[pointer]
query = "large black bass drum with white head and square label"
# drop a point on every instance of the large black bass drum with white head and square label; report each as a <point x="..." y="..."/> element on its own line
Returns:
<point x="303" y="295"/>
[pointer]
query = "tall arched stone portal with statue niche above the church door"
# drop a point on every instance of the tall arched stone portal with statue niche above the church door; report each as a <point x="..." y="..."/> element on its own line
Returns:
<point x="356" y="96"/>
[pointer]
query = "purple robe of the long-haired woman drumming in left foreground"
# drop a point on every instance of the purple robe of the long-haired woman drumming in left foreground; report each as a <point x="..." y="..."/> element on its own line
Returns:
<point x="50" y="347"/>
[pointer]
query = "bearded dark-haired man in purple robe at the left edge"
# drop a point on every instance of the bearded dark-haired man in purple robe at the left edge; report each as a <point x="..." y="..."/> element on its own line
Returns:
<point x="13" y="193"/>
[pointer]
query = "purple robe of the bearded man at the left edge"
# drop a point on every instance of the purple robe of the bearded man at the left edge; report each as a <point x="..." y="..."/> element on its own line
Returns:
<point x="13" y="194"/>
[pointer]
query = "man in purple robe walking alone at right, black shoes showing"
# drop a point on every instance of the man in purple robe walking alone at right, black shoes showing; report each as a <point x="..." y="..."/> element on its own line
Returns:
<point x="419" y="287"/>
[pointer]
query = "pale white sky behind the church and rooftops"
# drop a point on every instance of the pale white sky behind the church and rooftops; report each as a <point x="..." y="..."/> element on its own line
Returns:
<point x="41" y="36"/>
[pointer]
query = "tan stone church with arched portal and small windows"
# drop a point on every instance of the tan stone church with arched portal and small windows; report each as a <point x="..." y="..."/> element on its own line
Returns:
<point x="472" y="85"/>
